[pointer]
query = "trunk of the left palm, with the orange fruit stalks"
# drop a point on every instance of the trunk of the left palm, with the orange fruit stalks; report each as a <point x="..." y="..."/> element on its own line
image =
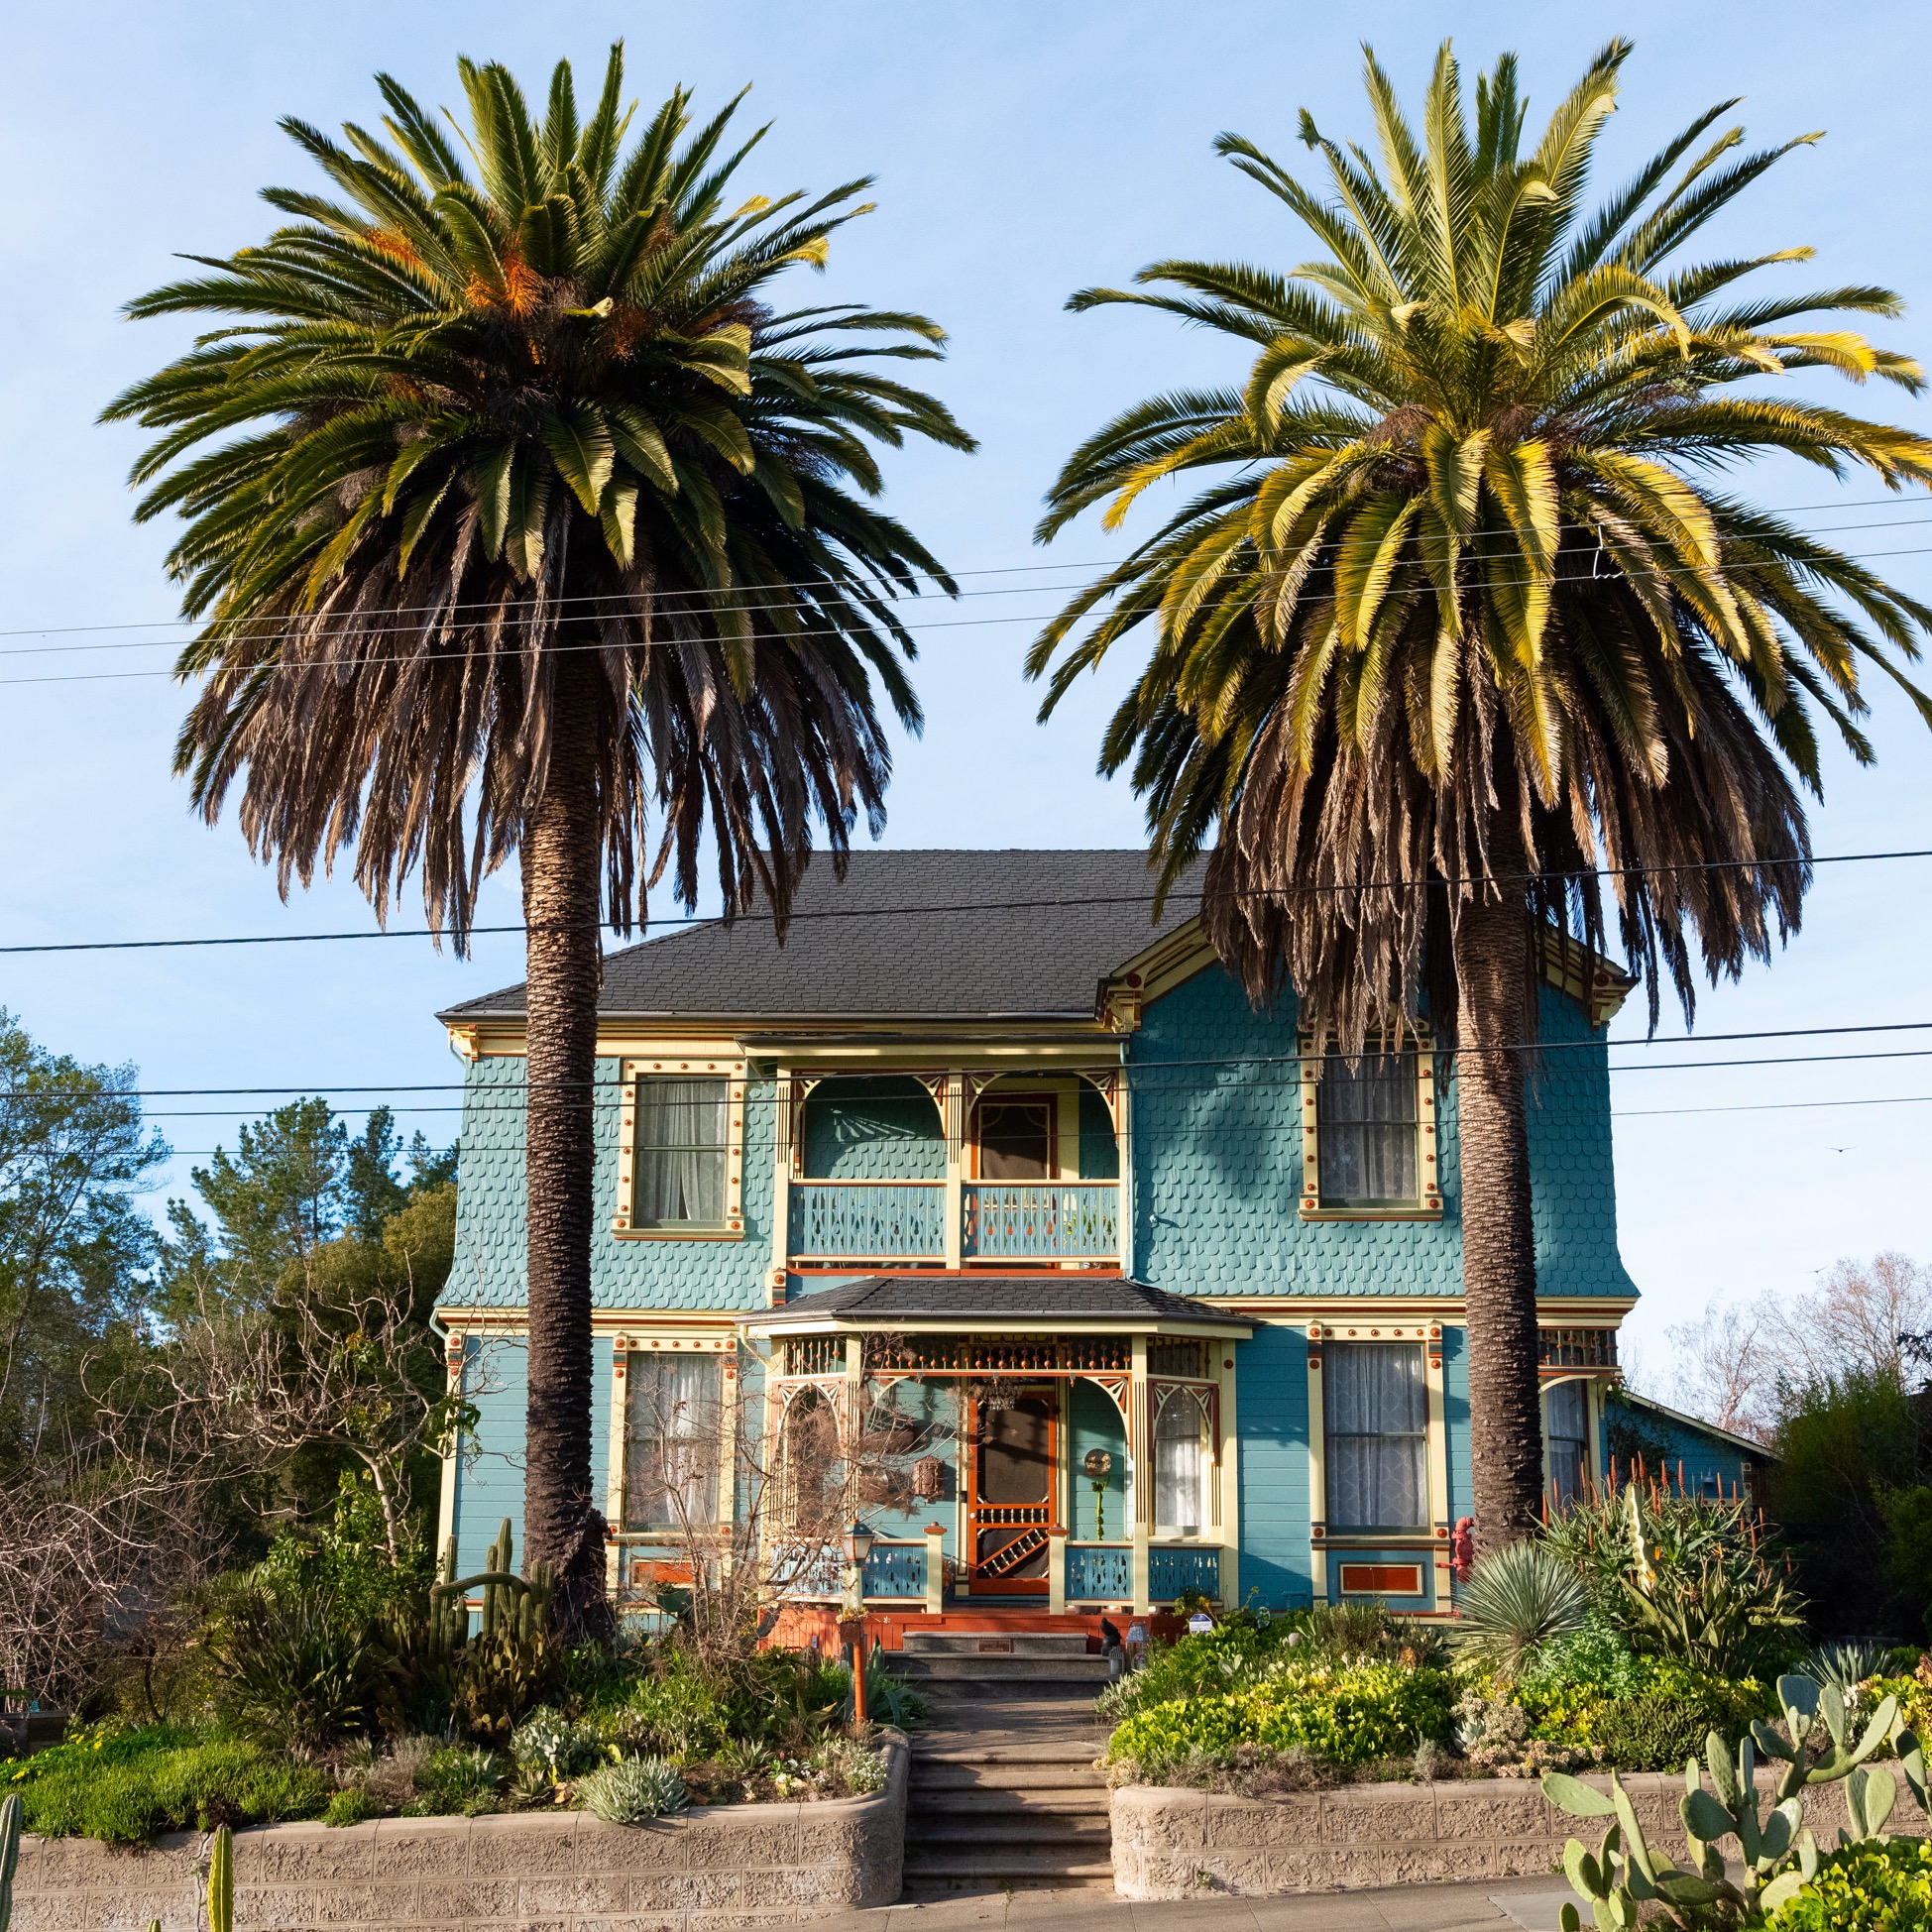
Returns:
<point x="563" y="1529"/>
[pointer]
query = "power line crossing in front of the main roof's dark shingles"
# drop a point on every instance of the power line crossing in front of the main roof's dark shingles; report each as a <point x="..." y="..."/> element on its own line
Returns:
<point x="996" y="905"/>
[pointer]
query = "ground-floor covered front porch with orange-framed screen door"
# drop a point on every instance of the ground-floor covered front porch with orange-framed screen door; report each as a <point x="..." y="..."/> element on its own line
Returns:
<point x="1046" y="1446"/>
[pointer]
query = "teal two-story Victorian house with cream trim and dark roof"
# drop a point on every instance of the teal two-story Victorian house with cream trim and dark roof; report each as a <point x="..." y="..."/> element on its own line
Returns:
<point x="1174" y="1288"/>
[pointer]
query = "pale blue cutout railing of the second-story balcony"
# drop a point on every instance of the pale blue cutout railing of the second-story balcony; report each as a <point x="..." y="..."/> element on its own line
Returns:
<point x="1000" y="1222"/>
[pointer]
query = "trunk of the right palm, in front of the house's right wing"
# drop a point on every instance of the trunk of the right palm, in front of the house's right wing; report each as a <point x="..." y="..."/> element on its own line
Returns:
<point x="1494" y="992"/>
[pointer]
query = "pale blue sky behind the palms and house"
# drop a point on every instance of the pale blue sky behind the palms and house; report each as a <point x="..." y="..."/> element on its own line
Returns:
<point x="1021" y="152"/>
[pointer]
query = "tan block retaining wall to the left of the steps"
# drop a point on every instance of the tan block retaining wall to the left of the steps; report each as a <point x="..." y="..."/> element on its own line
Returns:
<point x="737" y="1865"/>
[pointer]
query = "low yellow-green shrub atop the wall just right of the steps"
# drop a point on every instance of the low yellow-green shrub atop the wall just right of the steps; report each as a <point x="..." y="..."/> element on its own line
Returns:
<point x="1344" y="1713"/>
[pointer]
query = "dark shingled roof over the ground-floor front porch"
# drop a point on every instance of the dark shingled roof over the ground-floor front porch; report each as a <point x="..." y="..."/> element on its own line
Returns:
<point x="928" y="1301"/>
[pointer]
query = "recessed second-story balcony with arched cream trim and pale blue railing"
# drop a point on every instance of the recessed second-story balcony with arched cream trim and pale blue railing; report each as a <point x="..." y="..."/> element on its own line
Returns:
<point x="1029" y="1181"/>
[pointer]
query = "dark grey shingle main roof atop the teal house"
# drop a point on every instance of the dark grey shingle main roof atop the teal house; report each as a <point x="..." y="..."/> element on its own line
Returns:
<point x="957" y="936"/>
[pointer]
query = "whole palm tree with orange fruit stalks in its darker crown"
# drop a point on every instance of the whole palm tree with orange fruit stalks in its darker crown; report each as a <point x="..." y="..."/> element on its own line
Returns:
<point x="515" y="515"/>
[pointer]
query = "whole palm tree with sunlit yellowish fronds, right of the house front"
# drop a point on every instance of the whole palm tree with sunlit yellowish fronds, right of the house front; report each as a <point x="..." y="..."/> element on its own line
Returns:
<point x="1462" y="621"/>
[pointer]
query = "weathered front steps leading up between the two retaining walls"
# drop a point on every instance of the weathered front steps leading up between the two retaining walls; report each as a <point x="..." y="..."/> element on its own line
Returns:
<point x="1004" y="1786"/>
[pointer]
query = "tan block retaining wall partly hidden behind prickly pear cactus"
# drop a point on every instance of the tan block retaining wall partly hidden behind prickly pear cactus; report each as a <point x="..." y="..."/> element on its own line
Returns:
<point x="1174" y="1844"/>
